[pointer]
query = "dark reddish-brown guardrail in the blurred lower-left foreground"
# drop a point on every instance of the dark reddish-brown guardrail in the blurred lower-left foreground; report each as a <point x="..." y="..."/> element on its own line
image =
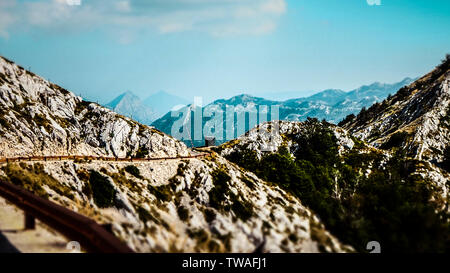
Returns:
<point x="91" y="236"/>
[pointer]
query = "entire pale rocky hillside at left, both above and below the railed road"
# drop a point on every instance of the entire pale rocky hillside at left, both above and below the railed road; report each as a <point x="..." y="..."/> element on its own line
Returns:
<point x="196" y="205"/>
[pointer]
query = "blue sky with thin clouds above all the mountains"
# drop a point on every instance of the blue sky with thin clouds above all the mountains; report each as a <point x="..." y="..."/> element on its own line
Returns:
<point x="220" y="48"/>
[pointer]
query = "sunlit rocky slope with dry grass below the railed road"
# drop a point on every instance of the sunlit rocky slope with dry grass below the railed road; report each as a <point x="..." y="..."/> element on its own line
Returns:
<point x="206" y="205"/>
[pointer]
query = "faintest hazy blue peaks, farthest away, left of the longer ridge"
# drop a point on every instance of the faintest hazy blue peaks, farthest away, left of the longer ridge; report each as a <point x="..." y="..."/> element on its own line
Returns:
<point x="148" y="110"/>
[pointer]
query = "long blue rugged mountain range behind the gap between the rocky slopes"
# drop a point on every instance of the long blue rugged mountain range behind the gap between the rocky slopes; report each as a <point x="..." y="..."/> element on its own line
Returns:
<point x="332" y="105"/>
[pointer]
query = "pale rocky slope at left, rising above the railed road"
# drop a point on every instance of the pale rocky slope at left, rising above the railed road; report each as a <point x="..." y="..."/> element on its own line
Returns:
<point x="38" y="117"/>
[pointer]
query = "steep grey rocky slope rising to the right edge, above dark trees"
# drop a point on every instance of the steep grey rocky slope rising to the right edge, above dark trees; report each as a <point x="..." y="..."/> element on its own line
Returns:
<point x="417" y="118"/>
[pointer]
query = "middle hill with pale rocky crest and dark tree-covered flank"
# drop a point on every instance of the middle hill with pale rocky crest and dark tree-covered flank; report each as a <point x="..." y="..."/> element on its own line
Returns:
<point x="361" y="193"/>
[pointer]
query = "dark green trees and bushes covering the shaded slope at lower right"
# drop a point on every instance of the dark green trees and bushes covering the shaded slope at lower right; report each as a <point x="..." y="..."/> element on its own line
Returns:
<point x="389" y="204"/>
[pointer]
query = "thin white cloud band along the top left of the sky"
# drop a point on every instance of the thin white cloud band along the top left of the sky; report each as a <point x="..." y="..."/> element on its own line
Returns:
<point x="215" y="17"/>
